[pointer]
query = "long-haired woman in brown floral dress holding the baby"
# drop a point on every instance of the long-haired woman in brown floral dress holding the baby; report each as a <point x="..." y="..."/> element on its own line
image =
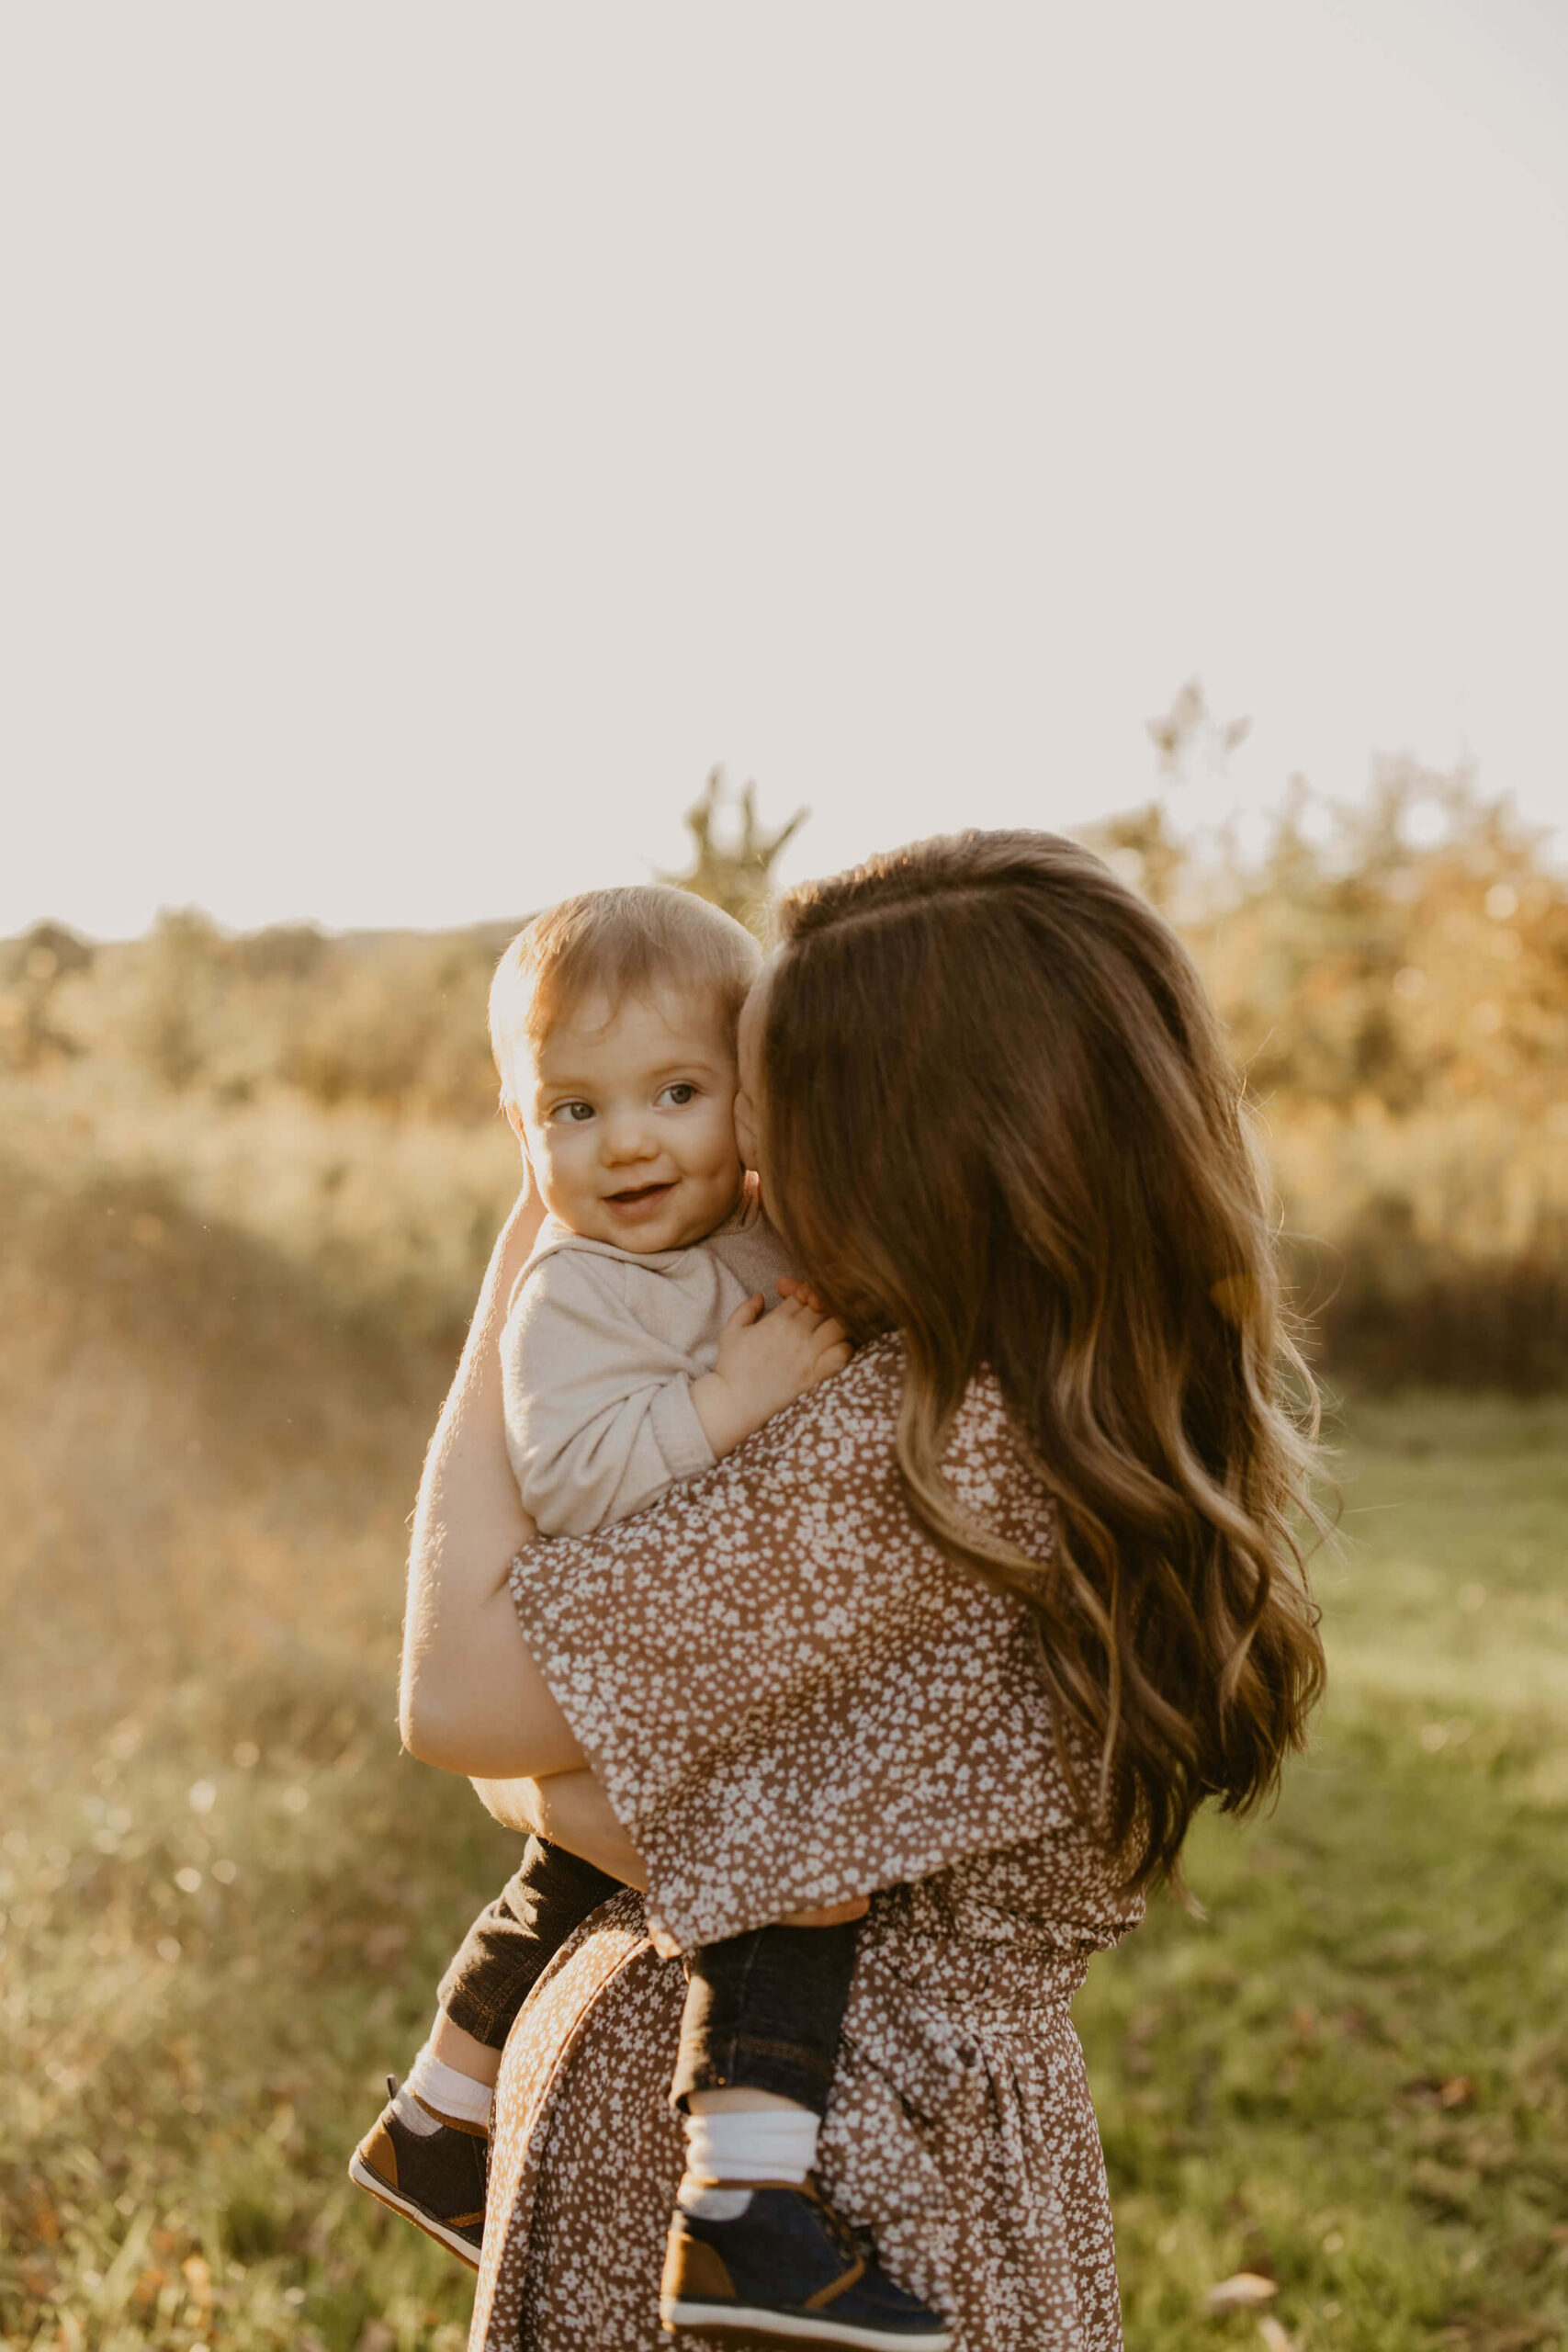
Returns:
<point x="970" y="1631"/>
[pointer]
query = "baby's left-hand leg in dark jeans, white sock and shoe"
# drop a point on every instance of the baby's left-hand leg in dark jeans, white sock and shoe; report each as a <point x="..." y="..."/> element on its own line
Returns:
<point x="427" y="2151"/>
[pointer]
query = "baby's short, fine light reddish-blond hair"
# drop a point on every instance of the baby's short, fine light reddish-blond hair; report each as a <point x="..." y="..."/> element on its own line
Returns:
<point x="624" y="944"/>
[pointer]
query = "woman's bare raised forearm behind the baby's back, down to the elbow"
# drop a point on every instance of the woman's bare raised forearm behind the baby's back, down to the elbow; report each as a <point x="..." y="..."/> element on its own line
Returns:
<point x="471" y="1697"/>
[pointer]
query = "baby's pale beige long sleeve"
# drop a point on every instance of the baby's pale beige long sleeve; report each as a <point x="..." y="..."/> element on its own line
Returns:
<point x="598" y="1412"/>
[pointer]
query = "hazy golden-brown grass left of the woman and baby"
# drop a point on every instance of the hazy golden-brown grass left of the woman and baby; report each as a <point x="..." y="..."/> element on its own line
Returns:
<point x="225" y="1892"/>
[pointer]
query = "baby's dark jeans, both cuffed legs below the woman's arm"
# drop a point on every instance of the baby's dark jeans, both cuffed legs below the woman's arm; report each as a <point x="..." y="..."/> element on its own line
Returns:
<point x="763" y="2010"/>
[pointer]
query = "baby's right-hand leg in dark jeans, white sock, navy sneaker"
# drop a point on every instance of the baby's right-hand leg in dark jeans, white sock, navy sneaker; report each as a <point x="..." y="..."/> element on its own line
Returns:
<point x="753" y="2245"/>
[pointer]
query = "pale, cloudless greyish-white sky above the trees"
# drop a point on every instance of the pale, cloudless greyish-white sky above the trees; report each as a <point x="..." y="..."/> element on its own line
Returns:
<point x="434" y="436"/>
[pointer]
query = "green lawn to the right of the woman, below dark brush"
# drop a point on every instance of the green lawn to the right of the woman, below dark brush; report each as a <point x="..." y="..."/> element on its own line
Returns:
<point x="1353" y="2076"/>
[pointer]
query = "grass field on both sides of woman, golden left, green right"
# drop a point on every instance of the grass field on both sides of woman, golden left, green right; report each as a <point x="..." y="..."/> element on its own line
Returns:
<point x="227" y="1897"/>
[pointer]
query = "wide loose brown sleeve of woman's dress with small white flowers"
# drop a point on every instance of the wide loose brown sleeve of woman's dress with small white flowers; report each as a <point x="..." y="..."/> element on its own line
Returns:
<point x="789" y="1692"/>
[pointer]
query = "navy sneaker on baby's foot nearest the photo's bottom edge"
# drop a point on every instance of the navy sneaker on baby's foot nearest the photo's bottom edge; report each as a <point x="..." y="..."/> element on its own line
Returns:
<point x="772" y="2259"/>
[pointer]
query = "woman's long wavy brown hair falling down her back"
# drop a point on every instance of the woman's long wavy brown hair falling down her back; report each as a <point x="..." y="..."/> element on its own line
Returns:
<point x="1000" y="1118"/>
